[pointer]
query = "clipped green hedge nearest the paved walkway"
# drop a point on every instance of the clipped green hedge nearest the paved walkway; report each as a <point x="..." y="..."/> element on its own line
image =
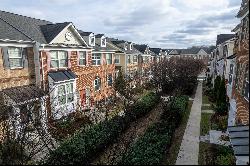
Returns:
<point x="152" y="146"/>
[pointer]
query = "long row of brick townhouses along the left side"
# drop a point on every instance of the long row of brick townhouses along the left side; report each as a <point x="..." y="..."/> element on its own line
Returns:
<point x="56" y="69"/>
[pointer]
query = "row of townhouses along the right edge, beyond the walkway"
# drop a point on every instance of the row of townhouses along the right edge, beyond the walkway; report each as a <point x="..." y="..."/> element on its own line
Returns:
<point x="230" y="59"/>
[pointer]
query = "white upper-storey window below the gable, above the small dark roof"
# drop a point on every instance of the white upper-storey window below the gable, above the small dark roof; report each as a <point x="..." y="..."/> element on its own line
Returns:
<point x="58" y="59"/>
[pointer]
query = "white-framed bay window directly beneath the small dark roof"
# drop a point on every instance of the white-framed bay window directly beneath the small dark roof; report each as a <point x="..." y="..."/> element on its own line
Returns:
<point x="65" y="93"/>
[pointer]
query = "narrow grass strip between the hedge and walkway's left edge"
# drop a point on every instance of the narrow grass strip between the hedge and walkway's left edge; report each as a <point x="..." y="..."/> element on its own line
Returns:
<point x="177" y="139"/>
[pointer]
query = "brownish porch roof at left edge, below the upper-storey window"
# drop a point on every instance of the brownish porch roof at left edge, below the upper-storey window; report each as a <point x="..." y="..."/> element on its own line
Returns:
<point x="25" y="93"/>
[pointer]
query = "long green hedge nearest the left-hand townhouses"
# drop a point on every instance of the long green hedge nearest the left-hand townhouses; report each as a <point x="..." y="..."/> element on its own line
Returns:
<point x="84" y="146"/>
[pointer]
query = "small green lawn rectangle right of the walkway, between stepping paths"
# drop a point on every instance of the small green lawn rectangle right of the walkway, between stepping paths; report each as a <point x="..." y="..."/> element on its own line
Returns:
<point x="205" y="123"/>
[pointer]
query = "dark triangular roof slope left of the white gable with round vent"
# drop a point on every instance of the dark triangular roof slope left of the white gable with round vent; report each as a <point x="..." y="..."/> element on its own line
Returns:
<point x="50" y="31"/>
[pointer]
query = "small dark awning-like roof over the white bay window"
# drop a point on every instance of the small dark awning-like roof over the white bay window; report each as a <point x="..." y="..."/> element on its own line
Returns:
<point x="62" y="75"/>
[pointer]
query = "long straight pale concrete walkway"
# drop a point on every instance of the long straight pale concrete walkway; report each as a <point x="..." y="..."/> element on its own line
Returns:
<point x="189" y="150"/>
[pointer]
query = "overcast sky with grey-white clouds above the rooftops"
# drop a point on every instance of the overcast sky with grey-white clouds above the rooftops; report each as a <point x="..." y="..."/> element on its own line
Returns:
<point x="159" y="23"/>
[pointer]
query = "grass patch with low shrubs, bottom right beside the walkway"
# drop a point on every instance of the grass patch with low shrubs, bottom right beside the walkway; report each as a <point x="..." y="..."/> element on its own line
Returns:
<point x="211" y="154"/>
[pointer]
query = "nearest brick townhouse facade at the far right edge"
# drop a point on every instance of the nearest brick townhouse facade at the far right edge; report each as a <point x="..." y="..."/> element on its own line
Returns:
<point x="241" y="81"/>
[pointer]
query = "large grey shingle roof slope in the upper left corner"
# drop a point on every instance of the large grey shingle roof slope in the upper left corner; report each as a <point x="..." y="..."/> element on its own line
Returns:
<point x="29" y="27"/>
